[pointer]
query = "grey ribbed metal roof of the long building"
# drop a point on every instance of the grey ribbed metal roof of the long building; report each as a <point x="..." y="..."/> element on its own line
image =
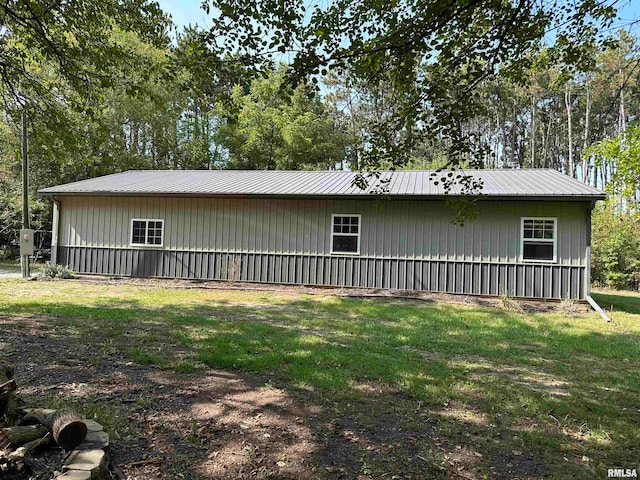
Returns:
<point x="496" y="183"/>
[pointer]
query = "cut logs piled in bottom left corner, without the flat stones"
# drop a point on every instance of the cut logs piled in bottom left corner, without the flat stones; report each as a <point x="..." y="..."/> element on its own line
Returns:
<point x="24" y="431"/>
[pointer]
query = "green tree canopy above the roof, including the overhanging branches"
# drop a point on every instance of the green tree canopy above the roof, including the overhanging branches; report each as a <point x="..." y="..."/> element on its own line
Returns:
<point x="107" y="91"/>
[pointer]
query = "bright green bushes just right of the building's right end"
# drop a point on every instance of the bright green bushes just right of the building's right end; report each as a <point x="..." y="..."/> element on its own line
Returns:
<point x="615" y="248"/>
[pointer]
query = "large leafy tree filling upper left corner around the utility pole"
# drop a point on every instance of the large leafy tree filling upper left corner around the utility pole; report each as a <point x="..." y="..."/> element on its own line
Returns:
<point x="56" y="59"/>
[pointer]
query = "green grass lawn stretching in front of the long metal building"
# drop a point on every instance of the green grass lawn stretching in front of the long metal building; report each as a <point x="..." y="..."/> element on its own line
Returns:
<point x="562" y="391"/>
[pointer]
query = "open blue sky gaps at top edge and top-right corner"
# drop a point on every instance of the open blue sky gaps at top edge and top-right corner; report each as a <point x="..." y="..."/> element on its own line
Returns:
<point x="185" y="12"/>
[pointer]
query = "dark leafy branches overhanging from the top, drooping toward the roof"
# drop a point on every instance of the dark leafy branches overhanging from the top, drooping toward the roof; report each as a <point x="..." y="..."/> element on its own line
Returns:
<point x="435" y="53"/>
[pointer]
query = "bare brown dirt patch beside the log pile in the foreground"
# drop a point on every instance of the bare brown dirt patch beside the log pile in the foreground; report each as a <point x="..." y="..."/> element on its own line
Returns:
<point x="212" y="424"/>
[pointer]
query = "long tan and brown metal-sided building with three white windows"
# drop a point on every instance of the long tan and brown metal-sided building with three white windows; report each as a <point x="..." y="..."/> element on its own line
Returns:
<point x="531" y="237"/>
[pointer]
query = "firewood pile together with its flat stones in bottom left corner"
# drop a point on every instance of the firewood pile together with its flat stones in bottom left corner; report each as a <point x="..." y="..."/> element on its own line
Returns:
<point x="46" y="444"/>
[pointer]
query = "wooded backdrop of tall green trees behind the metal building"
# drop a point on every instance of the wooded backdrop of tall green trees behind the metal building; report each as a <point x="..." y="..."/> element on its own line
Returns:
<point x="126" y="93"/>
